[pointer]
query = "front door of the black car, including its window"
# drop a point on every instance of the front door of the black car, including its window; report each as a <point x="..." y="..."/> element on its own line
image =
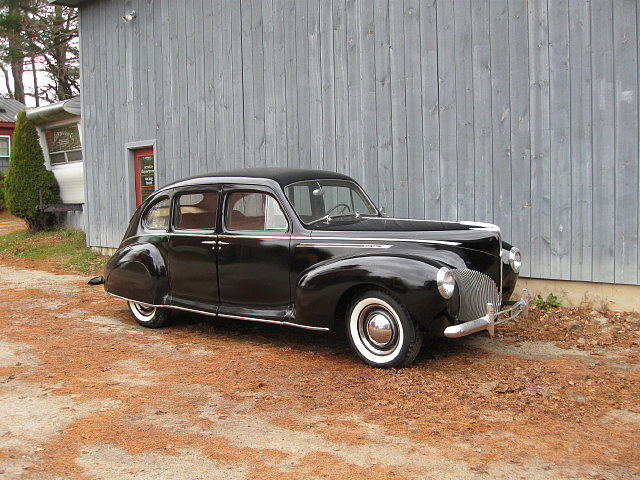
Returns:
<point x="254" y="255"/>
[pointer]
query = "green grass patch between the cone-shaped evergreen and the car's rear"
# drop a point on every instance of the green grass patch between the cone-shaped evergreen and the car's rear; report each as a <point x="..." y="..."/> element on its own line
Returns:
<point x="64" y="248"/>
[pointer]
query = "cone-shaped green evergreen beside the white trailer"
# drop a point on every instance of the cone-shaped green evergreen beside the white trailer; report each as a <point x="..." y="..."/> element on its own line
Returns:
<point x="28" y="182"/>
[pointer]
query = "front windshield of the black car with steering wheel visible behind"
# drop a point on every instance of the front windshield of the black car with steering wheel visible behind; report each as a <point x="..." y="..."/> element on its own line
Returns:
<point x="326" y="201"/>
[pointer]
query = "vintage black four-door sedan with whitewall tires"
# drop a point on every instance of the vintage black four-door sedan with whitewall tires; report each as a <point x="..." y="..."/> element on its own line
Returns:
<point x="309" y="249"/>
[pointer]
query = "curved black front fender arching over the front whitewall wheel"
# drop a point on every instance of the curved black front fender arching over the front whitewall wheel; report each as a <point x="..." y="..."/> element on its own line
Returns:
<point x="412" y="280"/>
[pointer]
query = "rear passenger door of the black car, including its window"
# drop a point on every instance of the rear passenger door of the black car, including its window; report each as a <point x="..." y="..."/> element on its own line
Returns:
<point x="192" y="251"/>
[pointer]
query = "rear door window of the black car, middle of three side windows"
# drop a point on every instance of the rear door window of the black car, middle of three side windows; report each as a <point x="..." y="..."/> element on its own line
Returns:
<point x="197" y="211"/>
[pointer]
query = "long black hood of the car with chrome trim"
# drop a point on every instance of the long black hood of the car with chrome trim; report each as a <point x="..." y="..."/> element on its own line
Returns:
<point x="466" y="235"/>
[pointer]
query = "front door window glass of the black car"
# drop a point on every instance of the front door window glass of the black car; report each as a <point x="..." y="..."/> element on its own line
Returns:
<point x="254" y="211"/>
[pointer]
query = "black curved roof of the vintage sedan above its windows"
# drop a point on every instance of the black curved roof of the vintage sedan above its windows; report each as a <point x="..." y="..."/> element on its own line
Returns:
<point x="282" y="176"/>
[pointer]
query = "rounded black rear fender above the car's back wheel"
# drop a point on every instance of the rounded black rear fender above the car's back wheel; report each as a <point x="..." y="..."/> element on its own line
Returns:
<point x="138" y="272"/>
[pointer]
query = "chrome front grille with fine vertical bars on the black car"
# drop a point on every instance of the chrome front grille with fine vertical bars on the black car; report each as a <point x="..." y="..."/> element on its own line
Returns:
<point x="476" y="290"/>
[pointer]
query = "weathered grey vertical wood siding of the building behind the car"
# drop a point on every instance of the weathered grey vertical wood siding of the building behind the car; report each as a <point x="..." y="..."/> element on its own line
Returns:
<point x="523" y="113"/>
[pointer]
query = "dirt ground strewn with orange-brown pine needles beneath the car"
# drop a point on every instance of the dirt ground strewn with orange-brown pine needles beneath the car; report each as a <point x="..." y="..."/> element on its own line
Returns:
<point x="86" y="393"/>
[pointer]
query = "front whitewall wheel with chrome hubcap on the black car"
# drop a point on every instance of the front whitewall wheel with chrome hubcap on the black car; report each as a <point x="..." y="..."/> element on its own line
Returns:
<point x="381" y="331"/>
